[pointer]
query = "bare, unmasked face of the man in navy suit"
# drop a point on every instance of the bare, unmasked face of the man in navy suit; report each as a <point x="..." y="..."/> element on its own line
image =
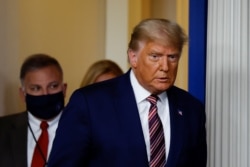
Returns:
<point x="155" y="66"/>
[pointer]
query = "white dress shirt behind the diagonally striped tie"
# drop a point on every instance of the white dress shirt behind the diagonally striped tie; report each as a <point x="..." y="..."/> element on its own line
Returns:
<point x="143" y="106"/>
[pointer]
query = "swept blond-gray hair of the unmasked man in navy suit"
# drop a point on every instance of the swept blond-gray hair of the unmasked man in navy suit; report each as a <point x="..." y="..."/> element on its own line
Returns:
<point x="161" y="30"/>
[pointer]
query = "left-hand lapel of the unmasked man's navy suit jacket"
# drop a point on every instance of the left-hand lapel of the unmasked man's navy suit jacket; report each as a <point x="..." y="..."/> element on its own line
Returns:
<point x="129" y="119"/>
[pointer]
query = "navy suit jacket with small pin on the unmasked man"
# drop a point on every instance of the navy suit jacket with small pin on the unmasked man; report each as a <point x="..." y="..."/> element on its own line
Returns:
<point x="101" y="127"/>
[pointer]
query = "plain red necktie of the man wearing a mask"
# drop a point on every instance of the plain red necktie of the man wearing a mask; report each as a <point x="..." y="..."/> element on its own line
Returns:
<point x="41" y="149"/>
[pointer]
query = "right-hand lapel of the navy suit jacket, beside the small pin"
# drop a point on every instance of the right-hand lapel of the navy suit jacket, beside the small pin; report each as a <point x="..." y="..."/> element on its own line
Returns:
<point x="177" y="128"/>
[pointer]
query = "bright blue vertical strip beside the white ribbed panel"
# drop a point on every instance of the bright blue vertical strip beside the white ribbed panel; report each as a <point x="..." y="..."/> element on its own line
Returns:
<point x="197" y="48"/>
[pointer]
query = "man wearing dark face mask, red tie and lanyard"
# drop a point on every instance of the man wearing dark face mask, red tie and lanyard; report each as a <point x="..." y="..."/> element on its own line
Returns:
<point x="26" y="138"/>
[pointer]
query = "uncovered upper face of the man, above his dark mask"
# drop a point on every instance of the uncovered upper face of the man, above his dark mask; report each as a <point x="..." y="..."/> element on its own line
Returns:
<point x="47" y="80"/>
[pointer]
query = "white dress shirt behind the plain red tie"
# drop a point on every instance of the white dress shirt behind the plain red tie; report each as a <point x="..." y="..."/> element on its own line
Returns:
<point x="35" y="126"/>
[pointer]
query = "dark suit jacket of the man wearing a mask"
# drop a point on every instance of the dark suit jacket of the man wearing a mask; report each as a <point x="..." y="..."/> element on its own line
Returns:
<point x="13" y="140"/>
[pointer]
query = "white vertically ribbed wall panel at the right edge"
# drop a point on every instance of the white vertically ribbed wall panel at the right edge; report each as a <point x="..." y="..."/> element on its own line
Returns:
<point x="228" y="83"/>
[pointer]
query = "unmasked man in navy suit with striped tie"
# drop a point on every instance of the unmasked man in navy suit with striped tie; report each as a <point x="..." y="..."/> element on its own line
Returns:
<point x="138" y="119"/>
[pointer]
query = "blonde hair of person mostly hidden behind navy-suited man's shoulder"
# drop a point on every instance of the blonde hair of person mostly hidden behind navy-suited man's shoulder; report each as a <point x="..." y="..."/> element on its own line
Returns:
<point x="99" y="68"/>
